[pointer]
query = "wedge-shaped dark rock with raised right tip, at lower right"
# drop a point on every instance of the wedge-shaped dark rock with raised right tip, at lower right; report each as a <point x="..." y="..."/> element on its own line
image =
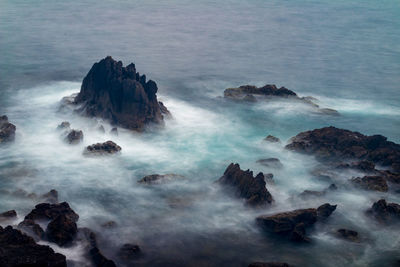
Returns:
<point x="293" y="224"/>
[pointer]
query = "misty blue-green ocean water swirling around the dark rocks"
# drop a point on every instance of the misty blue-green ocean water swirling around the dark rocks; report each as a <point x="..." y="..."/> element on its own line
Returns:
<point x="344" y="53"/>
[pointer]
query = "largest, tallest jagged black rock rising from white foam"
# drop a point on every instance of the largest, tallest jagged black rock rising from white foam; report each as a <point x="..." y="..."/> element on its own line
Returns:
<point x="121" y="95"/>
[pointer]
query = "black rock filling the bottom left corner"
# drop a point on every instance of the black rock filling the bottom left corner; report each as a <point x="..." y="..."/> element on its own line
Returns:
<point x="18" y="250"/>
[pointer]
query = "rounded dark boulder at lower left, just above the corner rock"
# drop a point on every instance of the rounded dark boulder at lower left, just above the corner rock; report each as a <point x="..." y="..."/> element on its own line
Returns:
<point x="62" y="230"/>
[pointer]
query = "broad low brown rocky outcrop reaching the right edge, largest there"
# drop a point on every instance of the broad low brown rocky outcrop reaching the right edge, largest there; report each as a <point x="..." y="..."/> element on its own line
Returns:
<point x="331" y="143"/>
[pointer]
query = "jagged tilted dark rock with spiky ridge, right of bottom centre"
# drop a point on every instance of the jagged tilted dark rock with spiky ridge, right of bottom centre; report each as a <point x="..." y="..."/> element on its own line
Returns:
<point x="246" y="185"/>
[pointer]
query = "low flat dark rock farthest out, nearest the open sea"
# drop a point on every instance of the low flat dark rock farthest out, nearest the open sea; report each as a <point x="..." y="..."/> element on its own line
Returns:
<point x="267" y="90"/>
